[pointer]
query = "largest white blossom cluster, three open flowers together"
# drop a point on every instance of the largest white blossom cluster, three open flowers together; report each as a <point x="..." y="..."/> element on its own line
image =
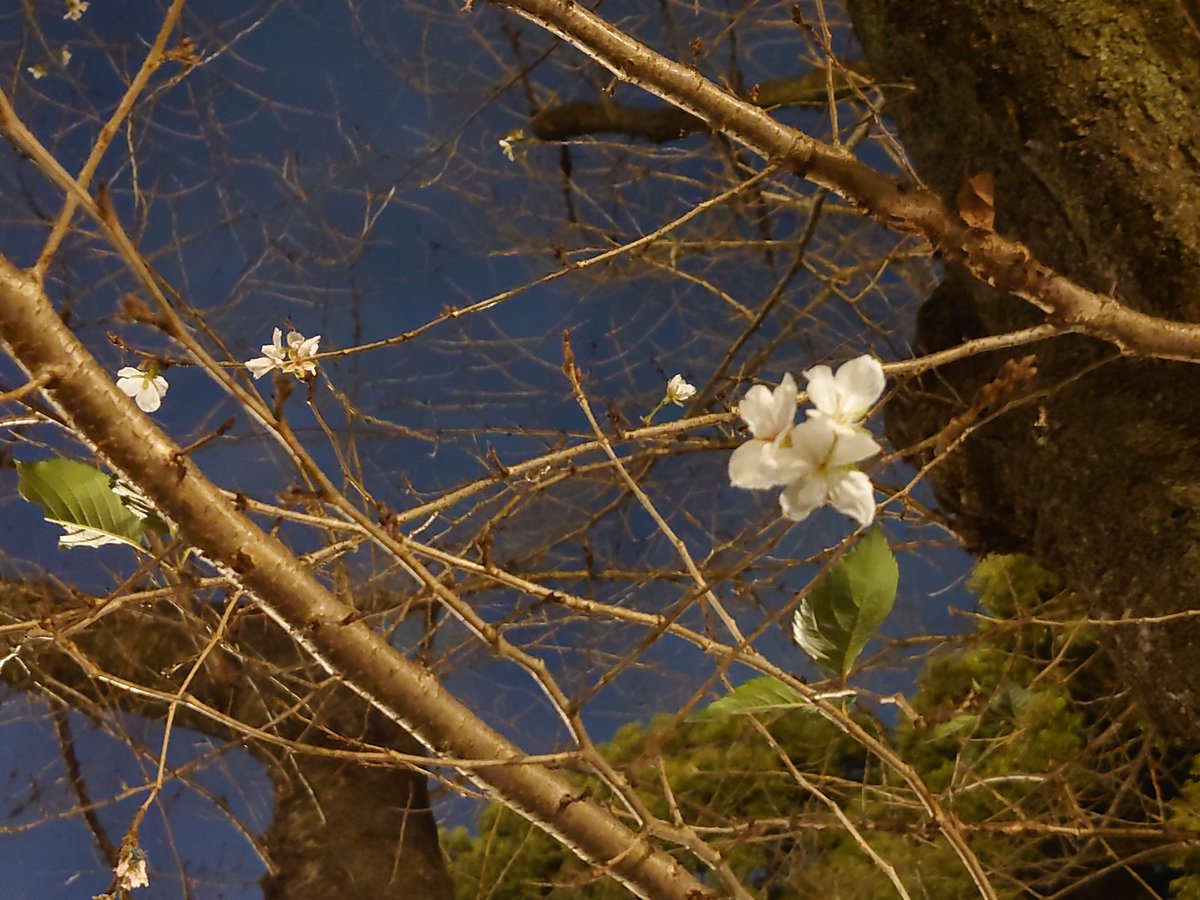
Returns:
<point x="815" y="463"/>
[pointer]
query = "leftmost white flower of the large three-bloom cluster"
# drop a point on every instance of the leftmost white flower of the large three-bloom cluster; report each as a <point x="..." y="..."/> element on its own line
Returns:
<point x="766" y="461"/>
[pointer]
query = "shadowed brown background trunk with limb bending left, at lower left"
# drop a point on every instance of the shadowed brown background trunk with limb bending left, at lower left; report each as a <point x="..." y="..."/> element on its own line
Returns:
<point x="338" y="824"/>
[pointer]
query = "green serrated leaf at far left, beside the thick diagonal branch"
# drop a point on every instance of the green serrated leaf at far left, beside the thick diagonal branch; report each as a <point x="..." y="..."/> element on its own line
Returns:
<point x="82" y="501"/>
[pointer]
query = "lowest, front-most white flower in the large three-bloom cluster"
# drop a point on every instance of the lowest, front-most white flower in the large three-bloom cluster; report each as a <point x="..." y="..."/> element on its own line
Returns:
<point x="827" y="457"/>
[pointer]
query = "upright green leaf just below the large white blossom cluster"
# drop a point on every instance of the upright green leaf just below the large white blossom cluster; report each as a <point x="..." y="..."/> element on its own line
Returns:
<point x="842" y="613"/>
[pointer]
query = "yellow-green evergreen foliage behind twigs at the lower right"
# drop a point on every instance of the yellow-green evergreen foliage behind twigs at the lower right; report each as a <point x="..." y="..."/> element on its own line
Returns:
<point x="1023" y="730"/>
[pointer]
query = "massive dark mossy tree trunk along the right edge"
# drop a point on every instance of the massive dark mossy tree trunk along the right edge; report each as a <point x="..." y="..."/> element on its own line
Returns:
<point x="1089" y="117"/>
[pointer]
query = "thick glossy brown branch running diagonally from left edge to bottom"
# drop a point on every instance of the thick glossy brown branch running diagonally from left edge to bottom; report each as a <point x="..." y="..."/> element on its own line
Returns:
<point x="409" y="694"/>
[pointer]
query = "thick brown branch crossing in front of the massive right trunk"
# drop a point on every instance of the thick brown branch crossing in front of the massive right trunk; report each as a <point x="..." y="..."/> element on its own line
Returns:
<point x="998" y="261"/>
